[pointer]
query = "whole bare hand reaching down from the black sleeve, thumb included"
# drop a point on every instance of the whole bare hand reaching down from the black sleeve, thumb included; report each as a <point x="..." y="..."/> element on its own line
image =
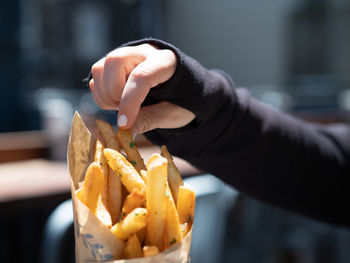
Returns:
<point x="122" y="80"/>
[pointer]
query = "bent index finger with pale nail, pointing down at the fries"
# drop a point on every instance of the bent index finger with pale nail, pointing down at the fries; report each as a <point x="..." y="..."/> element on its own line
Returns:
<point x="155" y="69"/>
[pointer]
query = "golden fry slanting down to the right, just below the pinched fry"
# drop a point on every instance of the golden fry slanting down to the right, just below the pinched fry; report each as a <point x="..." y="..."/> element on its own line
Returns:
<point x="127" y="173"/>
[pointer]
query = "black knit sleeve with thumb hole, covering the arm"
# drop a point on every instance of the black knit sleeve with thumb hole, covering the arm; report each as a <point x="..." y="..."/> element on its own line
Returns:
<point x="262" y="152"/>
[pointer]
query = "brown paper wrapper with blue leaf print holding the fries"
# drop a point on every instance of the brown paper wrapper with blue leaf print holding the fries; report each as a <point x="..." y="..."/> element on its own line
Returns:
<point x="93" y="241"/>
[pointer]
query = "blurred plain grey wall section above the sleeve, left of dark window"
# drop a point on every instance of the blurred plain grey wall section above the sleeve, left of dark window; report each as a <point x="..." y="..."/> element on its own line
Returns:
<point x="248" y="39"/>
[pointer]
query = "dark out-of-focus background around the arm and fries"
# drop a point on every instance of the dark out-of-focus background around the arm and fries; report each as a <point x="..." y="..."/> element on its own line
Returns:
<point x="291" y="54"/>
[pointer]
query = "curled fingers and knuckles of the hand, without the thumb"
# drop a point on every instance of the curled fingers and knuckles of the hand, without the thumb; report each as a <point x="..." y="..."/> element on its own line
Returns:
<point x="124" y="77"/>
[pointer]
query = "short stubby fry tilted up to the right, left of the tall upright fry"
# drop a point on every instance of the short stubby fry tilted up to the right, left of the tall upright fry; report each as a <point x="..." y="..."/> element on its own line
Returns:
<point x="131" y="224"/>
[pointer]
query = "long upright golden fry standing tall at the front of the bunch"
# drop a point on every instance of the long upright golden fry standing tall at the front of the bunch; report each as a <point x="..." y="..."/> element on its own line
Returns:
<point x="155" y="200"/>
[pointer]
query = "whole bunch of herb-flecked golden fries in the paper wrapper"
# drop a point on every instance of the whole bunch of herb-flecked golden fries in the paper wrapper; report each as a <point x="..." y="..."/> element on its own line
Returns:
<point x="156" y="211"/>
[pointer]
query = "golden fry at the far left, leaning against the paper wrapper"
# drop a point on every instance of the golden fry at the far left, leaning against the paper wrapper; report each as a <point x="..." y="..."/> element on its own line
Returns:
<point x="91" y="189"/>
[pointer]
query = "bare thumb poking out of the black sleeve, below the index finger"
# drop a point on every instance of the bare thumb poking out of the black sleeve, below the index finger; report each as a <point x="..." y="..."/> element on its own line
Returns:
<point x="164" y="115"/>
